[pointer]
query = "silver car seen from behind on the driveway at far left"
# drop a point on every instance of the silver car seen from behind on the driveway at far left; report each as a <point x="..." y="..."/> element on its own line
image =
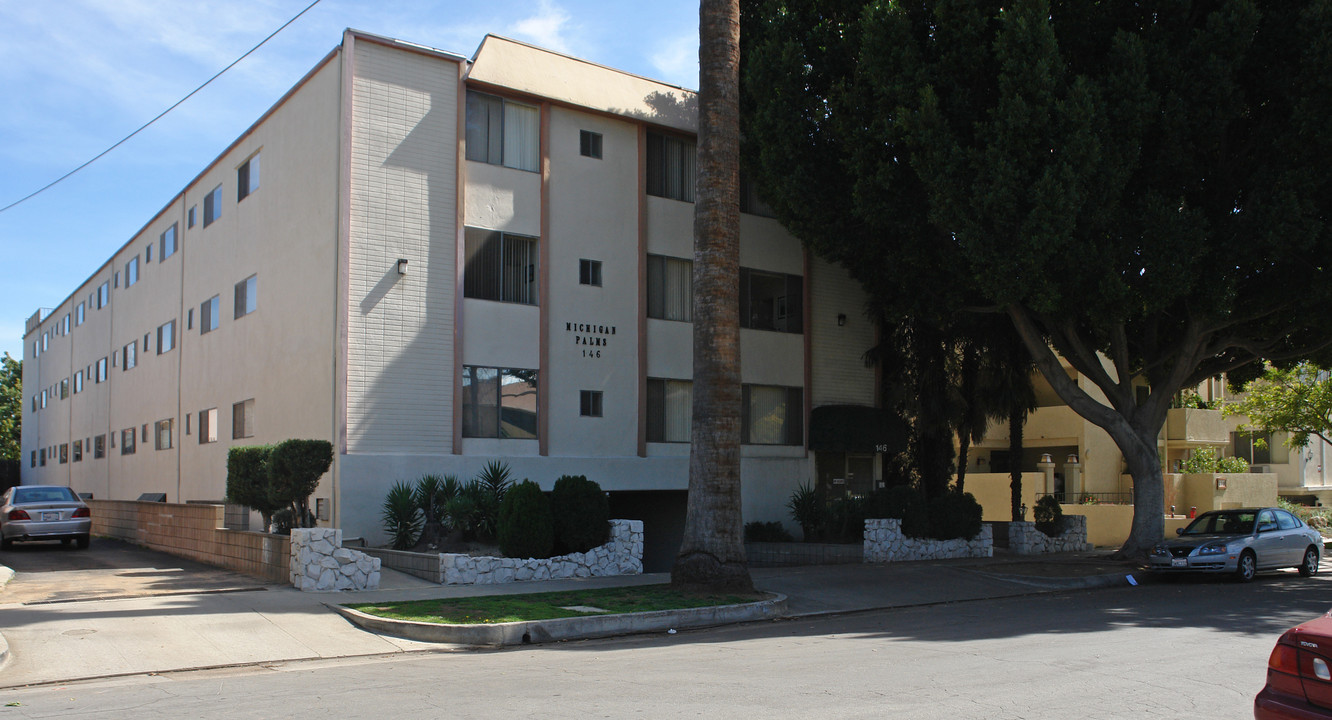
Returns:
<point x="43" y="513"/>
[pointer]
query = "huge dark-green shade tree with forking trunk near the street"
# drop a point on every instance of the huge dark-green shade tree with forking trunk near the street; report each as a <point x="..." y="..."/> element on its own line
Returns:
<point x="1140" y="187"/>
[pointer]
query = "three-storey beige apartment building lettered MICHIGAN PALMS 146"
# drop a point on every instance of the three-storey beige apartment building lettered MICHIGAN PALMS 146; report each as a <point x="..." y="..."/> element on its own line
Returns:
<point x="436" y="263"/>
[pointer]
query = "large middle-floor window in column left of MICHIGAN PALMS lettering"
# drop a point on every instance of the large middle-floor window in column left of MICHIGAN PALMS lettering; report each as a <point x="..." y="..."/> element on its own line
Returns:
<point x="500" y="267"/>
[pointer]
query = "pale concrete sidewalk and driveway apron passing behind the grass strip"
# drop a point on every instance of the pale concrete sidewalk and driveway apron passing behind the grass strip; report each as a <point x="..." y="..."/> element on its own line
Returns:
<point x="65" y="642"/>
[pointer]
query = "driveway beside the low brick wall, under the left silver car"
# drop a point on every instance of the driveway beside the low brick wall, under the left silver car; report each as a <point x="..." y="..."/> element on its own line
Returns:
<point x="51" y="573"/>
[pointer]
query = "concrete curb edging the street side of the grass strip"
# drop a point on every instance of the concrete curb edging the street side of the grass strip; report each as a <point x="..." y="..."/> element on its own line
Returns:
<point x="568" y="629"/>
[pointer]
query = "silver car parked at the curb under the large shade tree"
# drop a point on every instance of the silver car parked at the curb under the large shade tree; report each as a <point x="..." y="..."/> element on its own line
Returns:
<point x="1242" y="542"/>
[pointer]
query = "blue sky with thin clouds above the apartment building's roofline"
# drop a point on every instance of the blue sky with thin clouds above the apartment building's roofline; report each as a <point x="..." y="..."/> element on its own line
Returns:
<point x="79" y="75"/>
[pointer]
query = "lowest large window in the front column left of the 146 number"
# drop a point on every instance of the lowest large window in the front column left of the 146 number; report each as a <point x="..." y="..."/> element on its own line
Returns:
<point x="499" y="403"/>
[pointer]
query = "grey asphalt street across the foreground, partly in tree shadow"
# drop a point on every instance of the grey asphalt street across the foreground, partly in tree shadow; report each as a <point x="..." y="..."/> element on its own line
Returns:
<point x="1181" y="650"/>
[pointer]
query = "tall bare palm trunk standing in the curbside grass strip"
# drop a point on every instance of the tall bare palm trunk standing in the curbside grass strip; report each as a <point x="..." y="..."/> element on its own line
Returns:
<point x="712" y="556"/>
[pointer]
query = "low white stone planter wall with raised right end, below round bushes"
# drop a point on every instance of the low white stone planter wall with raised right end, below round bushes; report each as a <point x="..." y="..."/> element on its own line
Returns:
<point x="623" y="556"/>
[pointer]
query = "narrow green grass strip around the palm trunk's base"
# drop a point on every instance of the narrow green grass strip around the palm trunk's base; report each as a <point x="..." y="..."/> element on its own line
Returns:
<point x="545" y="606"/>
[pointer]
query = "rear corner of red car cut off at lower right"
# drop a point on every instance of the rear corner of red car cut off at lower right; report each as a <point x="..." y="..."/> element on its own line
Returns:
<point x="1299" y="675"/>
